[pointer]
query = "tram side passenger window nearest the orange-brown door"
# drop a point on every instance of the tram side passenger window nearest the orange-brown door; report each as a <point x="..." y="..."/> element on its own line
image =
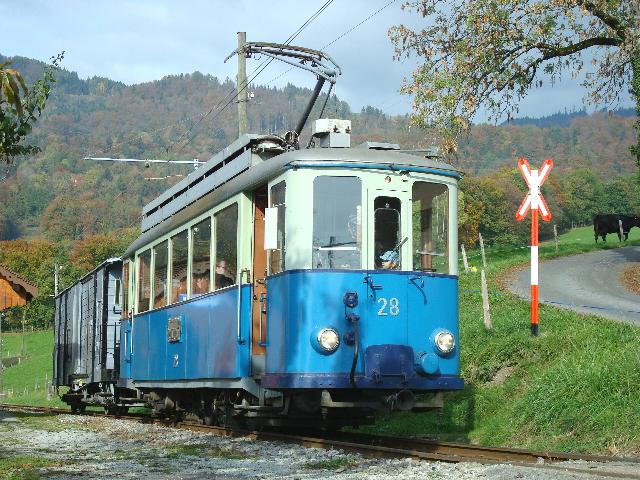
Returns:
<point x="226" y="247"/>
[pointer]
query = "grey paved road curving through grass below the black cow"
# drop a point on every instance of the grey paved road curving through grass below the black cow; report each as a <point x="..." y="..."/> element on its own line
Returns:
<point x="588" y="283"/>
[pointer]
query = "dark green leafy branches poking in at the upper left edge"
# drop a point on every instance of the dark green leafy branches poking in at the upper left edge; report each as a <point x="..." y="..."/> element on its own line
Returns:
<point x="20" y="108"/>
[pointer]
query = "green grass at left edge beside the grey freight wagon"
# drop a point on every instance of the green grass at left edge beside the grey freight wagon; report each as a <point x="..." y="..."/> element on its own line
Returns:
<point x="33" y="371"/>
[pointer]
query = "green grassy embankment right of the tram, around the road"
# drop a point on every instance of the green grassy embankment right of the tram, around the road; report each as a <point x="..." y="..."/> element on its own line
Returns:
<point x="576" y="387"/>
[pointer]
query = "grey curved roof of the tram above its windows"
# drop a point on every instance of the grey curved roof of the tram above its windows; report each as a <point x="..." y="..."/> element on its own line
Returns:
<point x="259" y="174"/>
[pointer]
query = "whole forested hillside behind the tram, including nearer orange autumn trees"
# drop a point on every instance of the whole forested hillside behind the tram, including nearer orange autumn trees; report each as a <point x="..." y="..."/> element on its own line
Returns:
<point x="57" y="208"/>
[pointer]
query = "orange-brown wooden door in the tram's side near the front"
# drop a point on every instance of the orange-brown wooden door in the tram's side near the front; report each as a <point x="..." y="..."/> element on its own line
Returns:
<point x="259" y="307"/>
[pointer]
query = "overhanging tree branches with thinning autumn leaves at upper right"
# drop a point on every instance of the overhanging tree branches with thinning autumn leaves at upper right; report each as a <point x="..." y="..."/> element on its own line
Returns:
<point x="490" y="53"/>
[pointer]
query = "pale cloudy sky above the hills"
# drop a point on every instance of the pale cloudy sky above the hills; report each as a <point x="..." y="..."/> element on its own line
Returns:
<point x="139" y="41"/>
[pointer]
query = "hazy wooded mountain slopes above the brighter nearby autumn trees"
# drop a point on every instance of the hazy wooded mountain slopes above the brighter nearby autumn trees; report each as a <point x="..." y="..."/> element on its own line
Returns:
<point x="59" y="196"/>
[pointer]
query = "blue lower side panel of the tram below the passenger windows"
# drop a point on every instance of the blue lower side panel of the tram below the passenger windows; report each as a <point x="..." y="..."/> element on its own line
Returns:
<point x="207" y="346"/>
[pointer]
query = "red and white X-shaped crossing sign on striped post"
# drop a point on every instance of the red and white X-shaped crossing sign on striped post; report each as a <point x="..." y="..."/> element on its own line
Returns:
<point x="534" y="201"/>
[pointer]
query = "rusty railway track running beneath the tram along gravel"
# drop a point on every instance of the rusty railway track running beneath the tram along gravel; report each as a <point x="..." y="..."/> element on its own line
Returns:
<point x="398" y="447"/>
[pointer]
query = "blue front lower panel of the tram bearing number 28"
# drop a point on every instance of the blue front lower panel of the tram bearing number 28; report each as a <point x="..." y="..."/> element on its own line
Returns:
<point x="397" y="316"/>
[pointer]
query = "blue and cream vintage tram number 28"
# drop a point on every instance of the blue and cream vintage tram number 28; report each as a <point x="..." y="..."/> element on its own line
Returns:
<point x="286" y="286"/>
